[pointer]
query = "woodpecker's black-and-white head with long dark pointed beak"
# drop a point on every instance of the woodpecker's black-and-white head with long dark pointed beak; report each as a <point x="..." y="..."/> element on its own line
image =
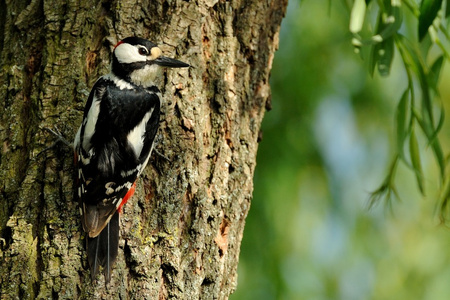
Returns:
<point x="138" y="61"/>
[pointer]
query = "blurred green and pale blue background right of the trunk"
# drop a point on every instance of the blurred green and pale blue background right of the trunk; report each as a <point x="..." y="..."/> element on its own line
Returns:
<point x="327" y="143"/>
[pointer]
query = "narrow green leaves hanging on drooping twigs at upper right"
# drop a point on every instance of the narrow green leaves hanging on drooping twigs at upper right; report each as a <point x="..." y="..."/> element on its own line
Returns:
<point x="420" y="110"/>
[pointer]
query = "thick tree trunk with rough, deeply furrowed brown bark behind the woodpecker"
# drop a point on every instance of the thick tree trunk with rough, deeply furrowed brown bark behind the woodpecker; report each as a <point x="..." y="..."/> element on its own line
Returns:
<point x="181" y="232"/>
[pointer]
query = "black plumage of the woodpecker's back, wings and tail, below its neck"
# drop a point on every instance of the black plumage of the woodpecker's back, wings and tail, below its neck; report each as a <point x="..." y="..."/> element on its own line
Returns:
<point x="112" y="154"/>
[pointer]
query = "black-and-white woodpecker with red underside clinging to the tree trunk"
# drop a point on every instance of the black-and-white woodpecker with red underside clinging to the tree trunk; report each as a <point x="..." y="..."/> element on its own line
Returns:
<point x="114" y="143"/>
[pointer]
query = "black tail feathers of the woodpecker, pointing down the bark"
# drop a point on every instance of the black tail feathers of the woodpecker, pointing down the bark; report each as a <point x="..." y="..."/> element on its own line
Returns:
<point x="103" y="249"/>
